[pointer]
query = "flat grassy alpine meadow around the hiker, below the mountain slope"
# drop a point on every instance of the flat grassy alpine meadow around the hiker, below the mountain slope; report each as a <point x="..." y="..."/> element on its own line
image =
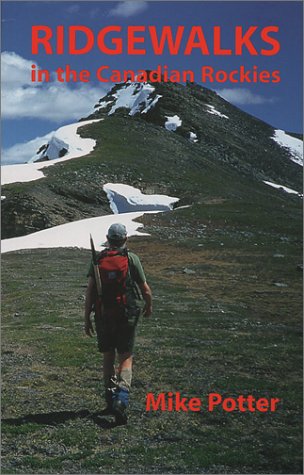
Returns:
<point x="227" y="319"/>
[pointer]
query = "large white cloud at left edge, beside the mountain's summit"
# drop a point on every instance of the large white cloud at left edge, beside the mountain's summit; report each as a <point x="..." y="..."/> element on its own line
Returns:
<point x="55" y="101"/>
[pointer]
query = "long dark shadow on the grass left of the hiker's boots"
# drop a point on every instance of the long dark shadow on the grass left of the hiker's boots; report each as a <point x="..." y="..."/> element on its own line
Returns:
<point x="55" y="418"/>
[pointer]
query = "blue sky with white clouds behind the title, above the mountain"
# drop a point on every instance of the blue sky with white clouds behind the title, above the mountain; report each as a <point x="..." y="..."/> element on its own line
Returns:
<point x="30" y="110"/>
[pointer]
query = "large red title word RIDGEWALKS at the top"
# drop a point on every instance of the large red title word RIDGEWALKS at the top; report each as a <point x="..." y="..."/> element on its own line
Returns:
<point x="139" y="39"/>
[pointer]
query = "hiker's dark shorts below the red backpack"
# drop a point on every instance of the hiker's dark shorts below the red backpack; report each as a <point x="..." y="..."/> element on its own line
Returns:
<point x="116" y="331"/>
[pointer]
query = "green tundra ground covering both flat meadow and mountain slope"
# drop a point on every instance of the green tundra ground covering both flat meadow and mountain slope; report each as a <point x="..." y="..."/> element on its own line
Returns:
<point x="226" y="275"/>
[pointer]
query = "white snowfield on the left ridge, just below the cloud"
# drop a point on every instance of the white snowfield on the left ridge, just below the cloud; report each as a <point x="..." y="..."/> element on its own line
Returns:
<point x="77" y="147"/>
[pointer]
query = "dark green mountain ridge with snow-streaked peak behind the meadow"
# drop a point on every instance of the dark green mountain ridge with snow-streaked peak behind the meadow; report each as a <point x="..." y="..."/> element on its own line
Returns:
<point x="231" y="151"/>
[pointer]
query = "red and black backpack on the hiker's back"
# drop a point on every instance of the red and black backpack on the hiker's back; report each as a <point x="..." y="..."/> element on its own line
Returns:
<point x="113" y="268"/>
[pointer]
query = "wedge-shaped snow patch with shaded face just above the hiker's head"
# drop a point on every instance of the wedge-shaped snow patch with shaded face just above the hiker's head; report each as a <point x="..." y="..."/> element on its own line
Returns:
<point x="125" y="198"/>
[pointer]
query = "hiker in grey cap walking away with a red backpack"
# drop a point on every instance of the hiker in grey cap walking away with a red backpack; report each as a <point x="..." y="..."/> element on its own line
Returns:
<point x="124" y="286"/>
